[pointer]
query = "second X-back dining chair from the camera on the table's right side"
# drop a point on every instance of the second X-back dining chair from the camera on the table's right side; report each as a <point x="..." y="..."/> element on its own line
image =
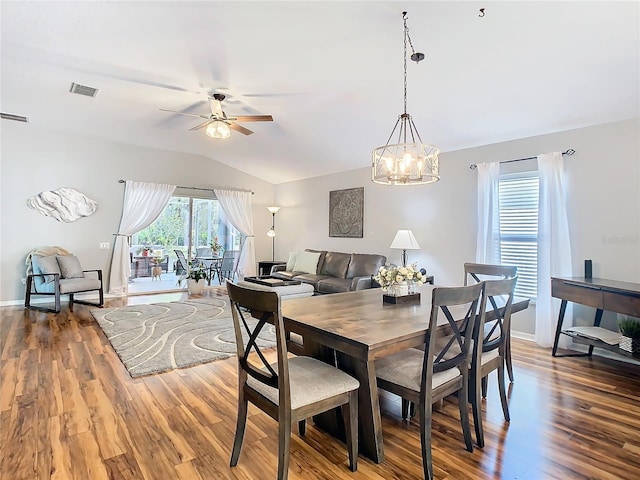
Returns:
<point x="489" y="349"/>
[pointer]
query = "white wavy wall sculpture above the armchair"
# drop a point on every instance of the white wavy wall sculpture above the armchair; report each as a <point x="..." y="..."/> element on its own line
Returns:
<point x="64" y="204"/>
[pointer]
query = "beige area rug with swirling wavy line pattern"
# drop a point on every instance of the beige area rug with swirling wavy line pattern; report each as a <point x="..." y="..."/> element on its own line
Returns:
<point x="163" y="336"/>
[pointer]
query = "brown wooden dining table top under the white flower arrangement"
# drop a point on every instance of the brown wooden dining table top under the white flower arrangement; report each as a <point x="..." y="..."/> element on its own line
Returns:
<point x="360" y="324"/>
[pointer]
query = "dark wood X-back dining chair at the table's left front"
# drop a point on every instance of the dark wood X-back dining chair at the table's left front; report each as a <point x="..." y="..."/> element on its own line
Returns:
<point x="290" y="390"/>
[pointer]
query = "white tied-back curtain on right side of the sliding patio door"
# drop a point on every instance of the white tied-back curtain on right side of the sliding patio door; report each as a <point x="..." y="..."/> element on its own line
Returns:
<point x="237" y="207"/>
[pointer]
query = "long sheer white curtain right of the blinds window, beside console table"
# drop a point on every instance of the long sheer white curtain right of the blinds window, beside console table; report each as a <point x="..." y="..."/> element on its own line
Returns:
<point x="554" y="247"/>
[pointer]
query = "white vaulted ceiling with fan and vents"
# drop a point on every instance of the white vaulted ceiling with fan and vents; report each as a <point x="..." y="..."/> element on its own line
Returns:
<point x="330" y="73"/>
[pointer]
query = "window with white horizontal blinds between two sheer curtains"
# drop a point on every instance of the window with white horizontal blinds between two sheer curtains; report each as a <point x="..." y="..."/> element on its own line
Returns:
<point x="518" y="201"/>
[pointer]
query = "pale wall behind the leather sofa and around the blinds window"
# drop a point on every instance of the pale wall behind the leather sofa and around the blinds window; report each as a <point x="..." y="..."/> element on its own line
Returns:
<point x="603" y="189"/>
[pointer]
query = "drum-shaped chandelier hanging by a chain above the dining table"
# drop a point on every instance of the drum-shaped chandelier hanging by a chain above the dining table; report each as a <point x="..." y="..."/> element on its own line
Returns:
<point x="408" y="161"/>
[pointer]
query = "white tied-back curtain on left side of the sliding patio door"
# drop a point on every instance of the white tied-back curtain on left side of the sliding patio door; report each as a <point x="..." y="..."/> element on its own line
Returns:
<point x="143" y="203"/>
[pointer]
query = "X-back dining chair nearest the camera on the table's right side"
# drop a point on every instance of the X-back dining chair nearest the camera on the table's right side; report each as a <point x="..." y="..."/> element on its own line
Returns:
<point x="426" y="377"/>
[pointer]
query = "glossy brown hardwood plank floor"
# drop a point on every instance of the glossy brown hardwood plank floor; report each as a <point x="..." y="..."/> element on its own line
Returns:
<point x="69" y="410"/>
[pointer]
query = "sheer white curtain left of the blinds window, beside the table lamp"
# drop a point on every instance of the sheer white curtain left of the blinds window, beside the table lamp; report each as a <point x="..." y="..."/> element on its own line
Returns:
<point x="488" y="236"/>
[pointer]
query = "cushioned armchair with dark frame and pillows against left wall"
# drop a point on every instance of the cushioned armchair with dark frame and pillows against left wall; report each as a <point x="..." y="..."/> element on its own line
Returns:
<point x="55" y="272"/>
